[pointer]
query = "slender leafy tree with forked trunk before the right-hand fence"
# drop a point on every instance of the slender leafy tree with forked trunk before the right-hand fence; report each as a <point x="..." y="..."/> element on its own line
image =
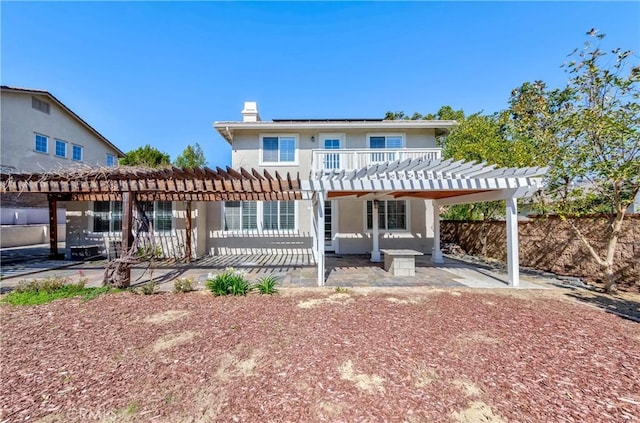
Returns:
<point x="598" y="148"/>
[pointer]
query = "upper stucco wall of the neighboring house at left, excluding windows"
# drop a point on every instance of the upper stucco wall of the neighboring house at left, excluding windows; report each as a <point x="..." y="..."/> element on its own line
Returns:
<point x="20" y="123"/>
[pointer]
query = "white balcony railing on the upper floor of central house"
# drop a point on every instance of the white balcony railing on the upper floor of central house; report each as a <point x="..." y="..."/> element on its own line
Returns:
<point x="351" y="159"/>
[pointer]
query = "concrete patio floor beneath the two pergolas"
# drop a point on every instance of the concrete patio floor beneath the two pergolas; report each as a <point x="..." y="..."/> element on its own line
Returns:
<point x="291" y="271"/>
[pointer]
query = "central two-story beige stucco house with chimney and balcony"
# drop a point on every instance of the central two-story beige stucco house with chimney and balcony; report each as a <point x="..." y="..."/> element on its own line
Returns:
<point x="310" y="147"/>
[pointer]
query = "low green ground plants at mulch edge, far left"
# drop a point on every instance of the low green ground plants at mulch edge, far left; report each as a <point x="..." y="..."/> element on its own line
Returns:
<point x="46" y="290"/>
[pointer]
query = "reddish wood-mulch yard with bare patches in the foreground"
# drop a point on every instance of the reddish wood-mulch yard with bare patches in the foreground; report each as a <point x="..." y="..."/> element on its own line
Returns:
<point x="409" y="355"/>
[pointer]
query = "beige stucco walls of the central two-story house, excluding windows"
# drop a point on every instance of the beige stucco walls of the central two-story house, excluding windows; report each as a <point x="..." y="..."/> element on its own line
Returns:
<point x="350" y="231"/>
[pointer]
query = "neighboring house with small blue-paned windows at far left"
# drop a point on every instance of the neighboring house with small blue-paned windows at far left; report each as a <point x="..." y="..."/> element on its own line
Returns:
<point x="39" y="133"/>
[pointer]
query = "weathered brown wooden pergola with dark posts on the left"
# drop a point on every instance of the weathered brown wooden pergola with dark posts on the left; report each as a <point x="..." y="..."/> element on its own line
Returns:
<point x="129" y="184"/>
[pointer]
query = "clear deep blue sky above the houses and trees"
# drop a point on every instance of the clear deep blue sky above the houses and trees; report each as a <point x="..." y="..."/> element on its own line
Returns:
<point x="161" y="73"/>
